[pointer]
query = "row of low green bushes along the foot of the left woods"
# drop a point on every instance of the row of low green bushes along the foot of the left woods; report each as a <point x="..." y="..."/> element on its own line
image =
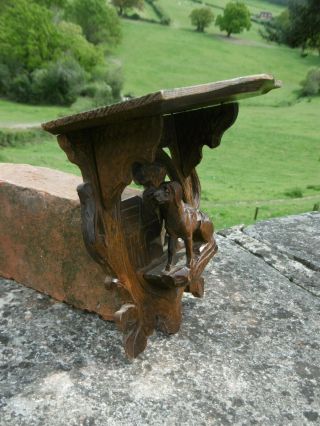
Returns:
<point x="62" y="81"/>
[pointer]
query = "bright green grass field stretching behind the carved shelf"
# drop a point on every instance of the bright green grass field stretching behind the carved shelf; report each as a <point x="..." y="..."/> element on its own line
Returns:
<point x="269" y="159"/>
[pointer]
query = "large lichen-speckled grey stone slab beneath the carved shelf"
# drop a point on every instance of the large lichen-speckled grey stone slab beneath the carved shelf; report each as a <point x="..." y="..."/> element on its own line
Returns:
<point x="248" y="353"/>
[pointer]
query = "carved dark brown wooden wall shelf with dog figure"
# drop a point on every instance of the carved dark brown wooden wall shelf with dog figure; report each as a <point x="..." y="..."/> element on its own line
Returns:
<point x="154" y="246"/>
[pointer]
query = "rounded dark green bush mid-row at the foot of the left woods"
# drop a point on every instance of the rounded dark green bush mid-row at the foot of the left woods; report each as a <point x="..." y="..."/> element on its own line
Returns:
<point x="60" y="83"/>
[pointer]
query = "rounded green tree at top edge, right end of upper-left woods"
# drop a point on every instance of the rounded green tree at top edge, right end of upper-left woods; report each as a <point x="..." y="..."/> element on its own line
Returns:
<point x="99" y="22"/>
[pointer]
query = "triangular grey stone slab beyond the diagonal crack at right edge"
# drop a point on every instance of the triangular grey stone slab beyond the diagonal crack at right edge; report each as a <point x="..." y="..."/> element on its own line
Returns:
<point x="286" y="246"/>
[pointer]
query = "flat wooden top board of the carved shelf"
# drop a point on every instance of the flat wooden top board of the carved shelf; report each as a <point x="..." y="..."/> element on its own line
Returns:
<point x="167" y="102"/>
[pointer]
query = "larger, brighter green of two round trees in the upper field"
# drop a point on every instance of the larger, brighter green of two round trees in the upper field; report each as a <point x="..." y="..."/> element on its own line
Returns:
<point x="235" y="18"/>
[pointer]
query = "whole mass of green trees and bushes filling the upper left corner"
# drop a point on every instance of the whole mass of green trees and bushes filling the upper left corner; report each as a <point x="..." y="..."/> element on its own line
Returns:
<point x="57" y="51"/>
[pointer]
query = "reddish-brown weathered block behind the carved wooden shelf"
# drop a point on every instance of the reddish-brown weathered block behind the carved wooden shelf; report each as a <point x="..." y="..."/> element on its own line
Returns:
<point x="40" y="238"/>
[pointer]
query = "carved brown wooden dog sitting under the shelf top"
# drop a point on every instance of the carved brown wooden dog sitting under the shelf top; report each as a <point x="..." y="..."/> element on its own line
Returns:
<point x="181" y="221"/>
